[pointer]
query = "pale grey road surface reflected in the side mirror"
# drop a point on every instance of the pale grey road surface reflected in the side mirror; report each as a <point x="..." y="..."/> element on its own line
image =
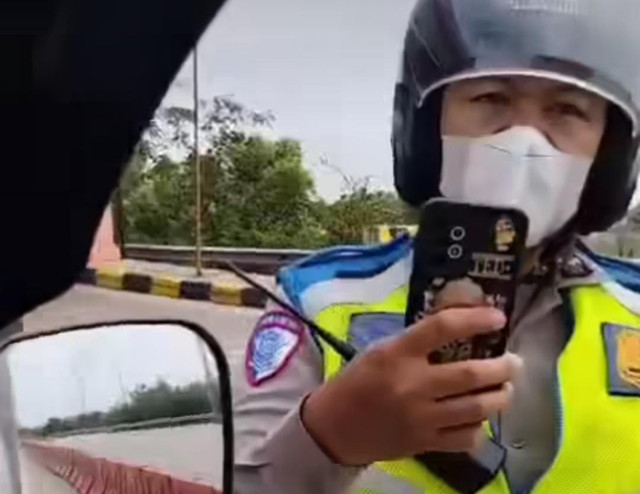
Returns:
<point x="192" y="452"/>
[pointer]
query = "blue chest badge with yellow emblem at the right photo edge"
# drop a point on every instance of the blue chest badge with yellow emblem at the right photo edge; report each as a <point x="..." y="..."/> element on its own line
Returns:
<point x="623" y="355"/>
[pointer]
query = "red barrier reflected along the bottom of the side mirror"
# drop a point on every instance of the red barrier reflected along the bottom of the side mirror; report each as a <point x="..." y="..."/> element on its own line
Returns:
<point x="90" y="475"/>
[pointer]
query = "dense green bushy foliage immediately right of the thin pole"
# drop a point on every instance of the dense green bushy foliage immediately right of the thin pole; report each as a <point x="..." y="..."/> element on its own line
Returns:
<point x="264" y="197"/>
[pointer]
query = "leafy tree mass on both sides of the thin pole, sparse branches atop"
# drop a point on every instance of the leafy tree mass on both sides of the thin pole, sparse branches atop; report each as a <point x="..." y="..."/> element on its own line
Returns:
<point x="256" y="191"/>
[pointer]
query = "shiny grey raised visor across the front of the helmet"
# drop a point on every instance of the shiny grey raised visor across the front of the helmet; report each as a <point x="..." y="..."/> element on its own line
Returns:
<point x="591" y="44"/>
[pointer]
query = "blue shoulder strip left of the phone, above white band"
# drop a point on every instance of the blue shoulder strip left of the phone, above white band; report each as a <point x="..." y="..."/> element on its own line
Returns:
<point x="355" y="262"/>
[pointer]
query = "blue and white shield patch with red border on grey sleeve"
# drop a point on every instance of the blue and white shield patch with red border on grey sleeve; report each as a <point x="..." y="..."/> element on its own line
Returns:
<point x="275" y="339"/>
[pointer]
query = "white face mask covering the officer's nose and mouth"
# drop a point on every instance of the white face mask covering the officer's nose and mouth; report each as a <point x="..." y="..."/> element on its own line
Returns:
<point x="520" y="169"/>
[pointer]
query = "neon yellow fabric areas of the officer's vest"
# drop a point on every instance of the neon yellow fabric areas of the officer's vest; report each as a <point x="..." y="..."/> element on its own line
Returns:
<point x="599" y="433"/>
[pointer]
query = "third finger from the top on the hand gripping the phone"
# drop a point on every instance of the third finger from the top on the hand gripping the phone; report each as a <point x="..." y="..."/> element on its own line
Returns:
<point x="471" y="409"/>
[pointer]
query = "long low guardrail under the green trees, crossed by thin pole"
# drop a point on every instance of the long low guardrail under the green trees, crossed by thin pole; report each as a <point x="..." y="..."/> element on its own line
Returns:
<point x="262" y="261"/>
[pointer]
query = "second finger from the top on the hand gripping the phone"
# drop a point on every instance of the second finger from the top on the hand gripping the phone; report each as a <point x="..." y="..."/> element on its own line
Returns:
<point x="460" y="378"/>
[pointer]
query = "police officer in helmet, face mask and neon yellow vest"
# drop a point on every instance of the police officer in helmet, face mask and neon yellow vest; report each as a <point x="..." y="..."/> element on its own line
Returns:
<point x="523" y="103"/>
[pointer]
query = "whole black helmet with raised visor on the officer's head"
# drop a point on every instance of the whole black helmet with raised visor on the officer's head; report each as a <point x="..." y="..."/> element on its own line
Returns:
<point x="592" y="44"/>
